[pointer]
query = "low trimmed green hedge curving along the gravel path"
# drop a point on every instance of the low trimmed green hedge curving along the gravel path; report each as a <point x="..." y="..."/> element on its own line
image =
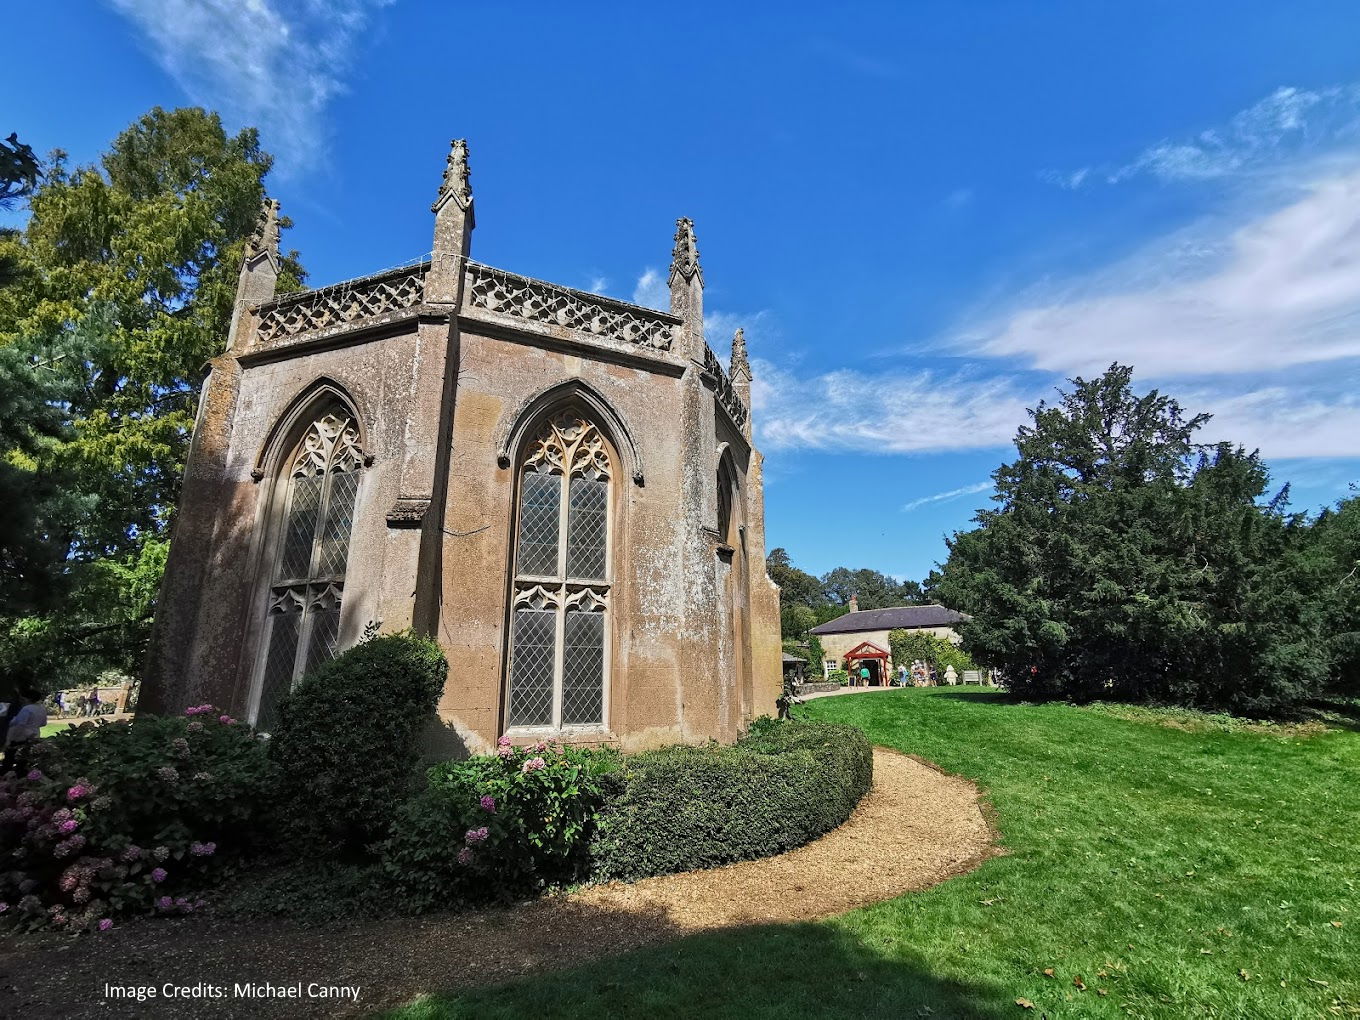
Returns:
<point x="683" y="809"/>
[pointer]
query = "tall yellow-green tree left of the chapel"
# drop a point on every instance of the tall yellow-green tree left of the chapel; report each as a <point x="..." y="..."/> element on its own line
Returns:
<point x="123" y="285"/>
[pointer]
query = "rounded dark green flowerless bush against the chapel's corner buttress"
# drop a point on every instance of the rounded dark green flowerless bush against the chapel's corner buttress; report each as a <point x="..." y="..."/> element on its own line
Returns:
<point x="349" y="739"/>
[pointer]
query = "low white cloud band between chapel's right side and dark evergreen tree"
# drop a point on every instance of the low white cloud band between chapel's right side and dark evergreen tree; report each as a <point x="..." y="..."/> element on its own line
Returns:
<point x="877" y="413"/>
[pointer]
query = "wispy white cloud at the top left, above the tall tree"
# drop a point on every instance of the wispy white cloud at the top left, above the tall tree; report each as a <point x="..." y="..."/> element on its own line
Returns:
<point x="274" y="65"/>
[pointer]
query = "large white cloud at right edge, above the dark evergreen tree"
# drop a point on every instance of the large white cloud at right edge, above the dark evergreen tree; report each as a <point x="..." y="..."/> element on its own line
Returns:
<point x="1278" y="288"/>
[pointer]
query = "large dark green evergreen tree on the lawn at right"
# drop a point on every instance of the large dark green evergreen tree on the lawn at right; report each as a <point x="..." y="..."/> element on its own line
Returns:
<point x="1124" y="560"/>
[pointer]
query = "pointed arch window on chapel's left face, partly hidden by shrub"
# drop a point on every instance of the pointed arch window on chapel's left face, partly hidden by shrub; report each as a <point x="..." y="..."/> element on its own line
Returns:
<point x="303" y="613"/>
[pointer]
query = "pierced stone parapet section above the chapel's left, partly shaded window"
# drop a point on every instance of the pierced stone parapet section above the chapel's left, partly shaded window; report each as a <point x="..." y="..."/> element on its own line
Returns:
<point x="341" y="305"/>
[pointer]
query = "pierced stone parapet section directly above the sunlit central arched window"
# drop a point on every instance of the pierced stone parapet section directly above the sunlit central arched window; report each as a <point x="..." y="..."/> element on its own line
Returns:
<point x="522" y="297"/>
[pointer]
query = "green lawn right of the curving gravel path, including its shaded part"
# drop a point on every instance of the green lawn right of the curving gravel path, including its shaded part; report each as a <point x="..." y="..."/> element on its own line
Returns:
<point x="1207" y="874"/>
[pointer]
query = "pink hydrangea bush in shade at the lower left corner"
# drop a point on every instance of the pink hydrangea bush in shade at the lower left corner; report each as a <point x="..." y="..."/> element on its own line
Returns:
<point x="104" y="825"/>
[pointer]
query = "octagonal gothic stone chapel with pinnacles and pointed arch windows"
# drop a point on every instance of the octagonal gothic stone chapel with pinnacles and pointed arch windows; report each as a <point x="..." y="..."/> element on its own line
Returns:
<point x="560" y="488"/>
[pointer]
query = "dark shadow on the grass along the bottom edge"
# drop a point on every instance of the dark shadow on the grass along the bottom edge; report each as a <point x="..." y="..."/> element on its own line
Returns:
<point x="803" y="970"/>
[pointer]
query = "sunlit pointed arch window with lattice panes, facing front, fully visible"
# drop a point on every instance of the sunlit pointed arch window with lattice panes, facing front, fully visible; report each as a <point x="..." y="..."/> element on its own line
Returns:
<point x="560" y="619"/>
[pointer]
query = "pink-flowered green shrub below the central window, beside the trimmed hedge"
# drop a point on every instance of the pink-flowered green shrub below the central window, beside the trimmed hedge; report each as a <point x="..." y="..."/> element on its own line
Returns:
<point x="497" y="826"/>
